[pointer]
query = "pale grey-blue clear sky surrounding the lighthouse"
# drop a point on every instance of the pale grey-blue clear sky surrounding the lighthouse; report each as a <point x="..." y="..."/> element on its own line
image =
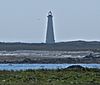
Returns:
<point x="25" y="20"/>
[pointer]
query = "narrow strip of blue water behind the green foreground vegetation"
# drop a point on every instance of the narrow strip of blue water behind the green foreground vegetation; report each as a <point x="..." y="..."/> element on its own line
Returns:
<point x="42" y="66"/>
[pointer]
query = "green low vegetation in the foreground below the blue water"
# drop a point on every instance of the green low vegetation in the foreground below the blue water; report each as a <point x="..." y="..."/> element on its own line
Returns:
<point x="69" y="76"/>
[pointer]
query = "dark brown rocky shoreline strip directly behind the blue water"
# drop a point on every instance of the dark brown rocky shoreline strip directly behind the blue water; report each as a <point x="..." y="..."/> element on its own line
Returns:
<point x="31" y="60"/>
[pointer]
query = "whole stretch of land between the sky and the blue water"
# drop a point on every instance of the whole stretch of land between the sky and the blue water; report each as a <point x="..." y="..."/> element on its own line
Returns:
<point x="64" y="52"/>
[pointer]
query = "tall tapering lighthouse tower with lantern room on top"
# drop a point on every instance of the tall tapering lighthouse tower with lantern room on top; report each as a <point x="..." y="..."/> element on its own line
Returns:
<point x="50" y="33"/>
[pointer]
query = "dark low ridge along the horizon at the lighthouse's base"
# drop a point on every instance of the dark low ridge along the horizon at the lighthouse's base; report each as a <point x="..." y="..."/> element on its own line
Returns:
<point x="62" y="46"/>
